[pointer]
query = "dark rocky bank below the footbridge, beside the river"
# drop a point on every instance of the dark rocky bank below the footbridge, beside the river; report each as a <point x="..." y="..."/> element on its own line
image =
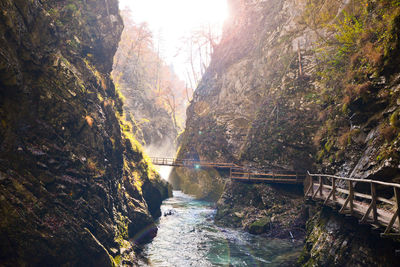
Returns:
<point x="276" y="211"/>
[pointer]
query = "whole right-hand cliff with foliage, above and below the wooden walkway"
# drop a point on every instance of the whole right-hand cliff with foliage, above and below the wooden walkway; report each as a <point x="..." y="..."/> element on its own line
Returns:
<point x="295" y="85"/>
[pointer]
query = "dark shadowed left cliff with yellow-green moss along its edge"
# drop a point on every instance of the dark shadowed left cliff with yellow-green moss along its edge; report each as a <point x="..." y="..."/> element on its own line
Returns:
<point x="73" y="187"/>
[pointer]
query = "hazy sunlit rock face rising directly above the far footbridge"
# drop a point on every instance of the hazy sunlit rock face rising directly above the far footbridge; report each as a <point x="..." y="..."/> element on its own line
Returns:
<point x="251" y="103"/>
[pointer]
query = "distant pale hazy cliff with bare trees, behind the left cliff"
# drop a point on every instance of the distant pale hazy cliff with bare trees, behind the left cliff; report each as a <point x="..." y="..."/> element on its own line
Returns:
<point x="153" y="92"/>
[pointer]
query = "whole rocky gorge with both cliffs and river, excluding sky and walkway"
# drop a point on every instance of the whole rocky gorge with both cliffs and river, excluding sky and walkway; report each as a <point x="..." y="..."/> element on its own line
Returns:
<point x="292" y="86"/>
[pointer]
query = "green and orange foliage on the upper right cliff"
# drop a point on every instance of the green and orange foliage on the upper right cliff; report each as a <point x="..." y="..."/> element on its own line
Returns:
<point x="351" y="54"/>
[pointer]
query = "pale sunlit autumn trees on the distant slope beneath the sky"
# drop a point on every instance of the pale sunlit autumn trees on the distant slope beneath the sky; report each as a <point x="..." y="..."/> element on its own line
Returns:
<point x="140" y="71"/>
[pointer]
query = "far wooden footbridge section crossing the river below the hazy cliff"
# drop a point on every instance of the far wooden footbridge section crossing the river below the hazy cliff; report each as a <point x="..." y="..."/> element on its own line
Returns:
<point x="236" y="172"/>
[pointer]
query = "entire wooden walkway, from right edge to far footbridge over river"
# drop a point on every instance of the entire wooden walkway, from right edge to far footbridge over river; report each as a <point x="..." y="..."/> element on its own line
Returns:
<point x="348" y="195"/>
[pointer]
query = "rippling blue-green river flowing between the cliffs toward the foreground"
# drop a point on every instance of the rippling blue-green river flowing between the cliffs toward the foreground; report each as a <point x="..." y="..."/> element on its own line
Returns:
<point x="189" y="237"/>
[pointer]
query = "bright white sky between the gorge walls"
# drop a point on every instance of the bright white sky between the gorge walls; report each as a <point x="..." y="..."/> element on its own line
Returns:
<point x="171" y="20"/>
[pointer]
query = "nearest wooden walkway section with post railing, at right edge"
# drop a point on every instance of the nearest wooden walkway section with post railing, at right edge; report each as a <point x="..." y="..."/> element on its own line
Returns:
<point x="369" y="207"/>
